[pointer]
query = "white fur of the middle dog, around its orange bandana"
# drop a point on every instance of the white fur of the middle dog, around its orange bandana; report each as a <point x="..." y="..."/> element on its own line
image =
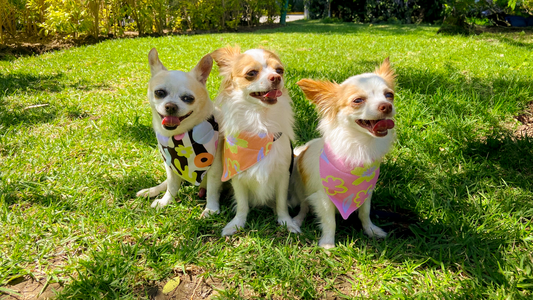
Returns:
<point x="265" y="183"/>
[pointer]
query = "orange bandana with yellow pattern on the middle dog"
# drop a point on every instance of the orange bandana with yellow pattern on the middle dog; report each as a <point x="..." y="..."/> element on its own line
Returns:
<point x="243" y="150"/>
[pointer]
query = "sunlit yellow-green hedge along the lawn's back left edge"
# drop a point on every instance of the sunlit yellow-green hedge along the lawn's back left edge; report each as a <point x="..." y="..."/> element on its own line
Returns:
<point x="96" y="17"/>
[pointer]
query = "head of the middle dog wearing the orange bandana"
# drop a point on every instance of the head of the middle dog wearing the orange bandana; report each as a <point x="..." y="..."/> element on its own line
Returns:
<point x="257" y="74"/>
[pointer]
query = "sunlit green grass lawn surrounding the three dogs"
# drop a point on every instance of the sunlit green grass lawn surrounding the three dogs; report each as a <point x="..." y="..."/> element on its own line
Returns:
<point x="459" y="184"/>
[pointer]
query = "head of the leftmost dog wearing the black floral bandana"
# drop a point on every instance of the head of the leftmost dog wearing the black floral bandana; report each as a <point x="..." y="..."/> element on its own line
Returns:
<point x="178" y="99"/>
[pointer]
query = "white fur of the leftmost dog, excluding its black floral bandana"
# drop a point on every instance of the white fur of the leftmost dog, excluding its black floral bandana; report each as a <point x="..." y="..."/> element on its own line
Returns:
<point x="178" y="83"/>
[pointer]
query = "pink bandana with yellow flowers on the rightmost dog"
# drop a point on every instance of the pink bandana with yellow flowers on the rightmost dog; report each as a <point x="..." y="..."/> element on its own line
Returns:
<point x="347" y="188"/>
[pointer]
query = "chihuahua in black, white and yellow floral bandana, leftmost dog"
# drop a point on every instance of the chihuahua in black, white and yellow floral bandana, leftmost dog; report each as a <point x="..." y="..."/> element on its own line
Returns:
<point x="187" y="131"/>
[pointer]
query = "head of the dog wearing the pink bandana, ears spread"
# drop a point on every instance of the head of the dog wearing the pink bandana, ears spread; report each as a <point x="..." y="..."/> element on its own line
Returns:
<point x="364" y="102"/>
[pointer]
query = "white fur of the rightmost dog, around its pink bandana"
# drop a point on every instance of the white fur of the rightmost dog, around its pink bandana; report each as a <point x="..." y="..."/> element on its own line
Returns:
<point x="354" y="145"/>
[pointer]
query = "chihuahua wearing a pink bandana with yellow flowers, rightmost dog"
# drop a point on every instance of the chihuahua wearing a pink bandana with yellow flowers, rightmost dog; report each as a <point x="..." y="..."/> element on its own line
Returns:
<point x="338" y="172"/>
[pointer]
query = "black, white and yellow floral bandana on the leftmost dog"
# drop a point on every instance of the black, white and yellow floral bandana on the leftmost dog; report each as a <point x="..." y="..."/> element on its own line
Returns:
<point x="191" y="154"/>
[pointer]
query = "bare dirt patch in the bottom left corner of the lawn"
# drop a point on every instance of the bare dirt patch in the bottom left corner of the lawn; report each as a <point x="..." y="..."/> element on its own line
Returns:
<point x="26" y="288"/>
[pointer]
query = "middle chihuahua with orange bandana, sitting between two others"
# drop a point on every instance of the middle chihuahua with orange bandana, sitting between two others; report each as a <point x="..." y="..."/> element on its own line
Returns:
<point x="257" y="125"/>
